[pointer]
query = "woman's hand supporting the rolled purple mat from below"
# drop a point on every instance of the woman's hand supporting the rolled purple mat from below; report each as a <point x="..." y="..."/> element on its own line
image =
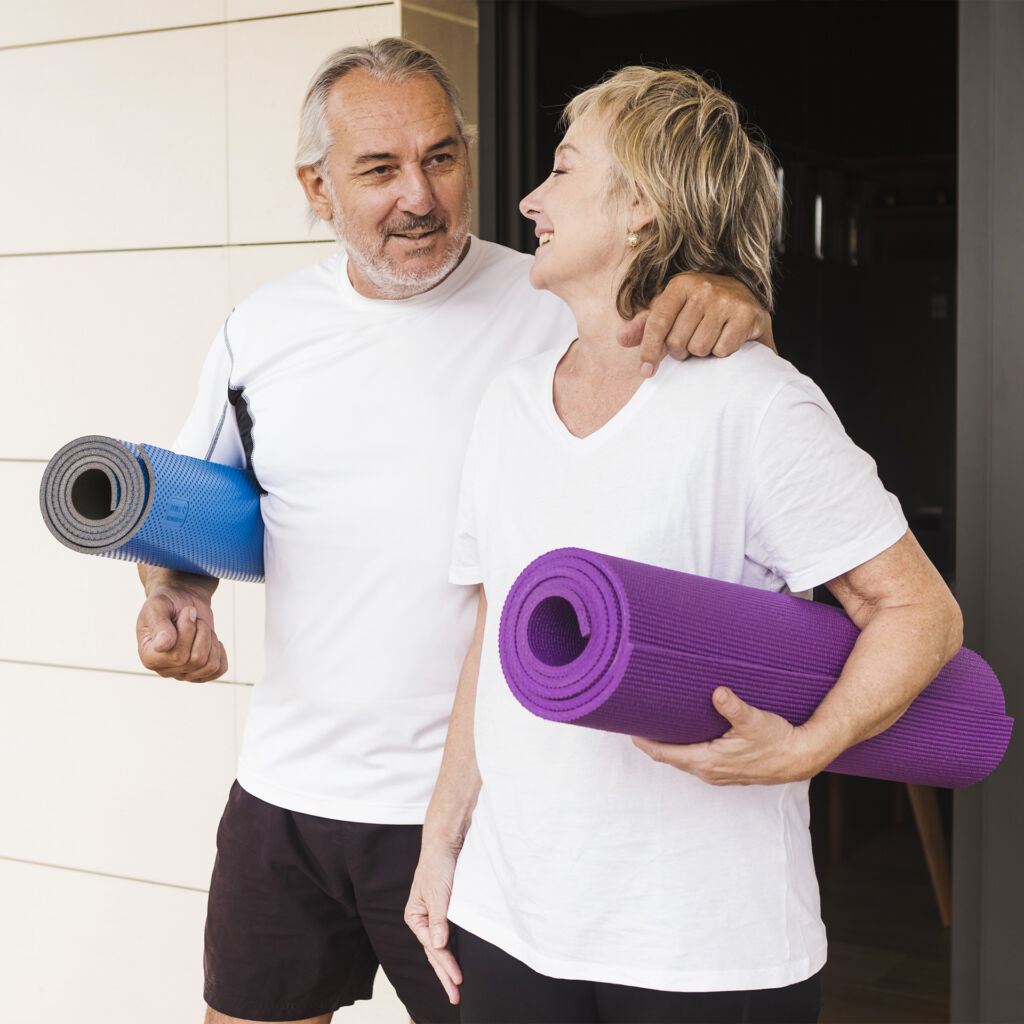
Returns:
<point x="760" y="749"/>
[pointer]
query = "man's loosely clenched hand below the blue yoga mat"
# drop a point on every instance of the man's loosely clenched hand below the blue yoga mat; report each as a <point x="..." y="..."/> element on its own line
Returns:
<point x="176" y="631"/>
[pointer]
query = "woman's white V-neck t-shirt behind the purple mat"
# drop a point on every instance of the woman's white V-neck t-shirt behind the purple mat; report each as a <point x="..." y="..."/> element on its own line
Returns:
<point x="586" y="860"/>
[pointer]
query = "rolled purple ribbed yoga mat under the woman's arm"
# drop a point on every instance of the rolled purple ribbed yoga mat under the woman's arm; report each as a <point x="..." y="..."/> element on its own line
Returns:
<point x="628" y="648"/>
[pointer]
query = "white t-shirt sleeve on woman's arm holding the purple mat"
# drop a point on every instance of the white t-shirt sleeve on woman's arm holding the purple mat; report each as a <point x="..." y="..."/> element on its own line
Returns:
<point x="818" y="508"/>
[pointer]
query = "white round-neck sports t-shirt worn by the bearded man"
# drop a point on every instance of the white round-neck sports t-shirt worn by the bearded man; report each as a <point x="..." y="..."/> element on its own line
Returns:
<point x="355" y="415"/>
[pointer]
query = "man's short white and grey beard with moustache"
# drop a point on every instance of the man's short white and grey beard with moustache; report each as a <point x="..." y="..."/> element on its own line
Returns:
<point x="393" y="280"/>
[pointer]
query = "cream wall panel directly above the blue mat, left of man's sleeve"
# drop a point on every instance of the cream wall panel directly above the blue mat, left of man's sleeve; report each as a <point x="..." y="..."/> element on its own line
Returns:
<point x="107" y="344"/>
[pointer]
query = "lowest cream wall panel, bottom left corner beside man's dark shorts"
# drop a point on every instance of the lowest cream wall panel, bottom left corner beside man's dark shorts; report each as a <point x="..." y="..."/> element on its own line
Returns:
<point x="94" y="951"/>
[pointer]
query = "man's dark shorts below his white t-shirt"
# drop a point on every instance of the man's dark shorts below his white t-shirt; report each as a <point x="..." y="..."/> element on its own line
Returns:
<point x="304" y="909"/>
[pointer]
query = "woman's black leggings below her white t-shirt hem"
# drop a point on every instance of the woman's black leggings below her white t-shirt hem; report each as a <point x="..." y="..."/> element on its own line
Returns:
<point x="500" y="990"/>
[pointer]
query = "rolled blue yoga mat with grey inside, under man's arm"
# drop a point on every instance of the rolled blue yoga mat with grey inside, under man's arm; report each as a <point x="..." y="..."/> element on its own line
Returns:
<point x="145" y="504"/>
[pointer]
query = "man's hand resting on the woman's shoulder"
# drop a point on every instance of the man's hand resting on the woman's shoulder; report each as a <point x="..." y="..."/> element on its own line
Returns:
<point x="698" y="315"/>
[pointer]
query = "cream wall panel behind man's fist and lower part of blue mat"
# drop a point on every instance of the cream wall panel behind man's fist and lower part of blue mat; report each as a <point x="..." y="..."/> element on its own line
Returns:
<point x="71" y="609"/>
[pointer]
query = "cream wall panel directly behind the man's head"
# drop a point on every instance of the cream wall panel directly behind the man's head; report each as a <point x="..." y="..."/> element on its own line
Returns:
<point x="270" y="64"/>
